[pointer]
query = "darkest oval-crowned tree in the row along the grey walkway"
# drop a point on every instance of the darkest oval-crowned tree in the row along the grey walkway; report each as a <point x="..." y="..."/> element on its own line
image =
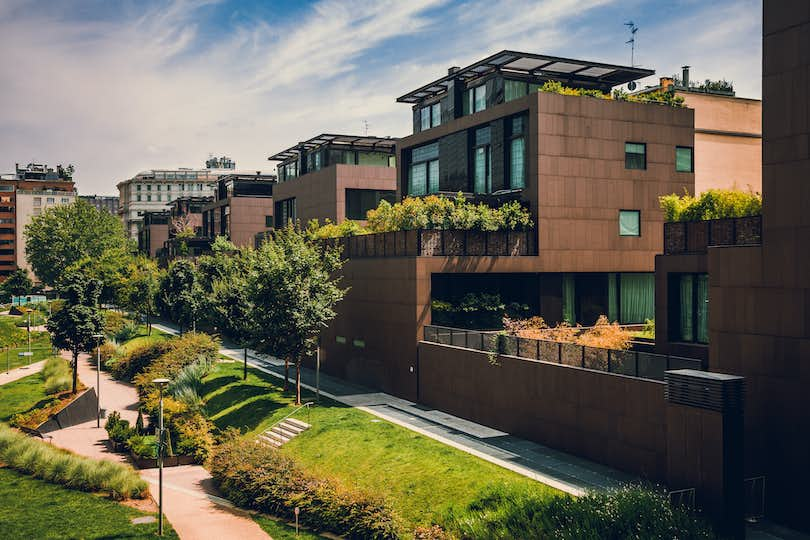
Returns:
<point x="180" y="294"/>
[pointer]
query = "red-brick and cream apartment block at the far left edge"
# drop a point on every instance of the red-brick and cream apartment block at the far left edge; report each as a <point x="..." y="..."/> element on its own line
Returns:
<point x="24" y="194"/>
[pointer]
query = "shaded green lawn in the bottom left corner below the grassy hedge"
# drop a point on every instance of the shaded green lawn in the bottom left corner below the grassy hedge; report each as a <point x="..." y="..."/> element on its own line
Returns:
<point x="31" y="508"/>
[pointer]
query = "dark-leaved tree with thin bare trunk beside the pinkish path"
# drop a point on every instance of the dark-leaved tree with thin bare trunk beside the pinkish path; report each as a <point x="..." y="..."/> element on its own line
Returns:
<point x="74" y="325"/>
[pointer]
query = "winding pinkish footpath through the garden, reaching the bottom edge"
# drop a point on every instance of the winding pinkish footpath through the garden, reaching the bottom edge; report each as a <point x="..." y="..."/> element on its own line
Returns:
<point x="191" y="502"/>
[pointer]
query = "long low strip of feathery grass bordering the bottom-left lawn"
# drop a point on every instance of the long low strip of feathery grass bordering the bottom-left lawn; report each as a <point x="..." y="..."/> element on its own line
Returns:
<point x="51" y="464"/>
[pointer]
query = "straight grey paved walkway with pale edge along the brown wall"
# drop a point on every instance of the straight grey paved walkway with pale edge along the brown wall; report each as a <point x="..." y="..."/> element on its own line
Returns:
<point x="554" y="468"/>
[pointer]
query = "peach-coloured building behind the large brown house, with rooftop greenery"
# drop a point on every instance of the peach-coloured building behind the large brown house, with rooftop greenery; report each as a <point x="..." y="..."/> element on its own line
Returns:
<point x="728" y="133"/>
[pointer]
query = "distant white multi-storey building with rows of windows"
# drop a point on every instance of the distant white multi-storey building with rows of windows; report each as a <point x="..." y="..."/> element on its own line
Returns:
<point x="152" y="190"/>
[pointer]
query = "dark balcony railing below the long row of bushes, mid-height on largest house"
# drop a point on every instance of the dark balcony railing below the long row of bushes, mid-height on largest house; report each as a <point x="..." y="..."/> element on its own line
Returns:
<point x="438" y="243"/>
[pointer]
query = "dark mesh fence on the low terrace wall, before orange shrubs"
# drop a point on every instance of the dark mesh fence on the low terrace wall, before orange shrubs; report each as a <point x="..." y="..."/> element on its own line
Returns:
<point x="632" y="363"/>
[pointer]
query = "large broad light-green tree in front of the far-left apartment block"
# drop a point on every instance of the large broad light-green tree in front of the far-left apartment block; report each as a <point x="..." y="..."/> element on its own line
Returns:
<point x="63" y="235"/>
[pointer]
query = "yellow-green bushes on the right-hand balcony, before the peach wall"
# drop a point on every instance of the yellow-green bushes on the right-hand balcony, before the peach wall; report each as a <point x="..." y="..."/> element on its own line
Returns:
<point x="711" y="204"/>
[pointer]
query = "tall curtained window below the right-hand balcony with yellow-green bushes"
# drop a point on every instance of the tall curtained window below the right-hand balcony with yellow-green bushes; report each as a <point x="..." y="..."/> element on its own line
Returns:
<point x="689" y="302"/>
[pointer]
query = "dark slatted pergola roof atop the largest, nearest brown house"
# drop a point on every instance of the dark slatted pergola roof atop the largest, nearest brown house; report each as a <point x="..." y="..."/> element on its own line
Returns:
<point x="567" y="70"/>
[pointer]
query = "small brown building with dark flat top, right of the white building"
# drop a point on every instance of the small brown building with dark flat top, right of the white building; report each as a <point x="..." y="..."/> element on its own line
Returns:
<point x="242" y="207"/>
